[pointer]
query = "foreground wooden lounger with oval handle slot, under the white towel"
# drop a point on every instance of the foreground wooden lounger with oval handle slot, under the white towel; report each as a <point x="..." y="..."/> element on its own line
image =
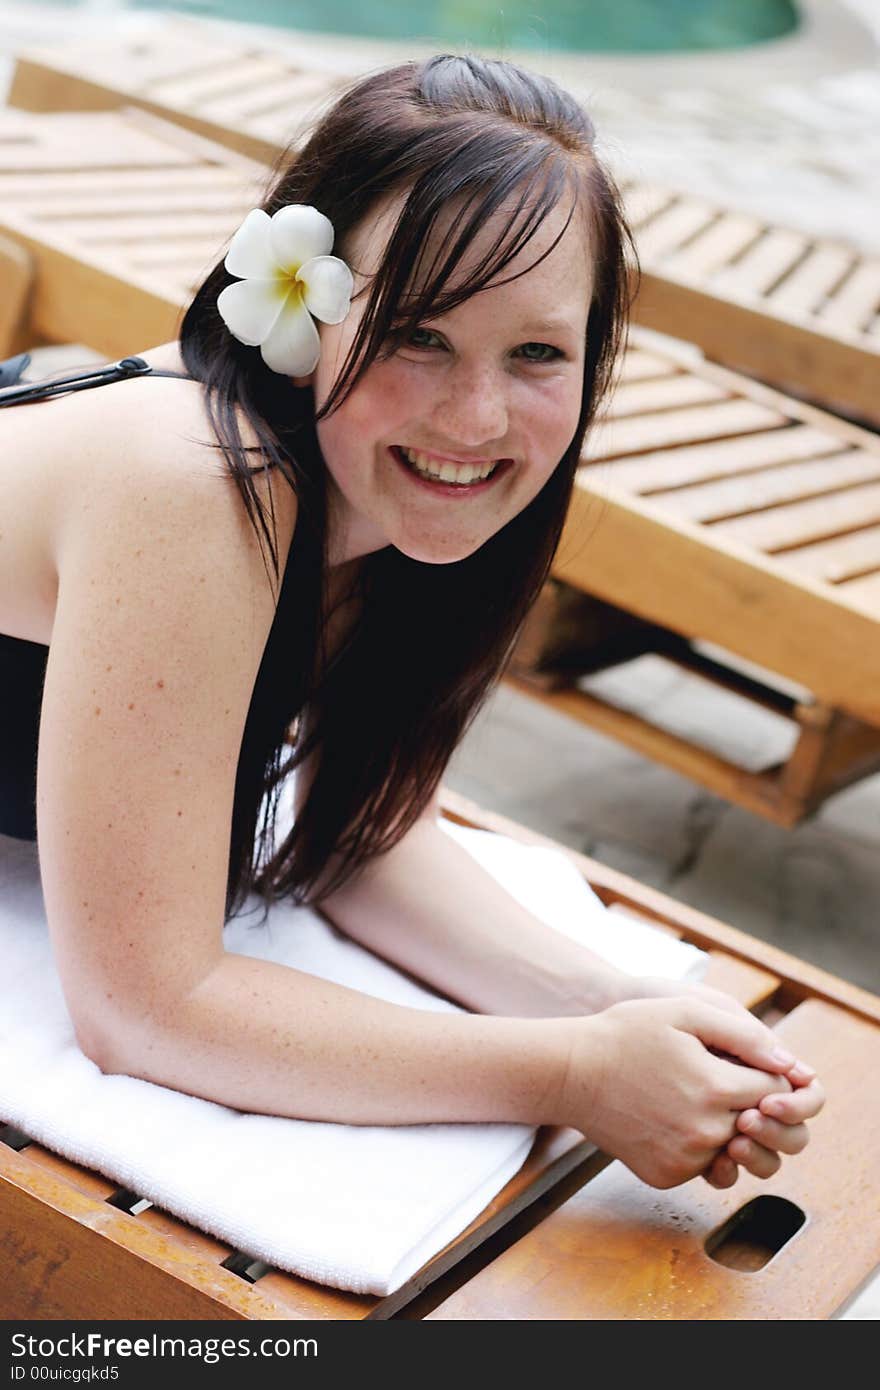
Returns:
<point x="572" y="1236"/>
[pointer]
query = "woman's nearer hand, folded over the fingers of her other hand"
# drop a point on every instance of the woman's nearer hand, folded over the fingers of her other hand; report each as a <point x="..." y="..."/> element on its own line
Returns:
<point x="647" y="1085"/>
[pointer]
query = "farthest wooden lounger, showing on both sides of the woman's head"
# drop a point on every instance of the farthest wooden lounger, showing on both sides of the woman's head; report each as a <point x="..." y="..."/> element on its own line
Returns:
<point x="795" y="311"/>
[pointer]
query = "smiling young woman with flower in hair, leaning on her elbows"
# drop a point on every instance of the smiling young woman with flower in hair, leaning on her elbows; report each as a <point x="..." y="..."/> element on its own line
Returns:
<point x="313" y="548"/>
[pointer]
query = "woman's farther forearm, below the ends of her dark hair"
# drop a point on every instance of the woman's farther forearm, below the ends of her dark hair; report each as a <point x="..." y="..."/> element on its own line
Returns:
<point x="432" y="910"/>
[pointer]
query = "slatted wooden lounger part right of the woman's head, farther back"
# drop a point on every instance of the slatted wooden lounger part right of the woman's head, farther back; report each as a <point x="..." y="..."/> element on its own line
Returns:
<point x="796" y="311"/>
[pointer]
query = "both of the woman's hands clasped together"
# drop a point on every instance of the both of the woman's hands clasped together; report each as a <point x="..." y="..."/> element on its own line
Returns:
<point x="686" y="1082"/>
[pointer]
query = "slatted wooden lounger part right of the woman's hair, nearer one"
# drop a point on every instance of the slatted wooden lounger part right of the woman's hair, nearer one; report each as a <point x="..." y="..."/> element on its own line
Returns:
<point x="712" y="509"/>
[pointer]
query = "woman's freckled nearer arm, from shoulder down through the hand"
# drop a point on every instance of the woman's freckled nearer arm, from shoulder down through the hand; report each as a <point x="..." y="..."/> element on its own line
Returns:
<point x="162" y="616"/>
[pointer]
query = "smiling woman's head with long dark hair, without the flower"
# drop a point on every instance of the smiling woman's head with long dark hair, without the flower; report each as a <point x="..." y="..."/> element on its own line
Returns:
<point x="464" y="197"/>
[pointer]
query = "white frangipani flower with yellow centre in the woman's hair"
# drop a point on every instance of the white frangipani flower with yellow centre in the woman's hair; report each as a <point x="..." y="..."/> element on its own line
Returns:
<point x="287" y="277"/>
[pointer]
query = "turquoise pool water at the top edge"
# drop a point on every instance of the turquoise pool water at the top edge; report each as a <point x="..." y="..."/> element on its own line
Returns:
<point x="573" y="26"/>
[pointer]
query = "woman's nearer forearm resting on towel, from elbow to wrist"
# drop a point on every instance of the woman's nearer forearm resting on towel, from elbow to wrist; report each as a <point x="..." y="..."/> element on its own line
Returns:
<point x="259" y="1036"/>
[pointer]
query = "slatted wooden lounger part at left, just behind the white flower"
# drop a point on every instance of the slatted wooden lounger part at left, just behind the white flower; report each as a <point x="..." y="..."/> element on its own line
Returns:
<point x="120" y="215"/>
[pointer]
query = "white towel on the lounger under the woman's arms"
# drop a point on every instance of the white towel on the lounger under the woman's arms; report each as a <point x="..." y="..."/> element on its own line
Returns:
<point x="355" y="1207"/>
